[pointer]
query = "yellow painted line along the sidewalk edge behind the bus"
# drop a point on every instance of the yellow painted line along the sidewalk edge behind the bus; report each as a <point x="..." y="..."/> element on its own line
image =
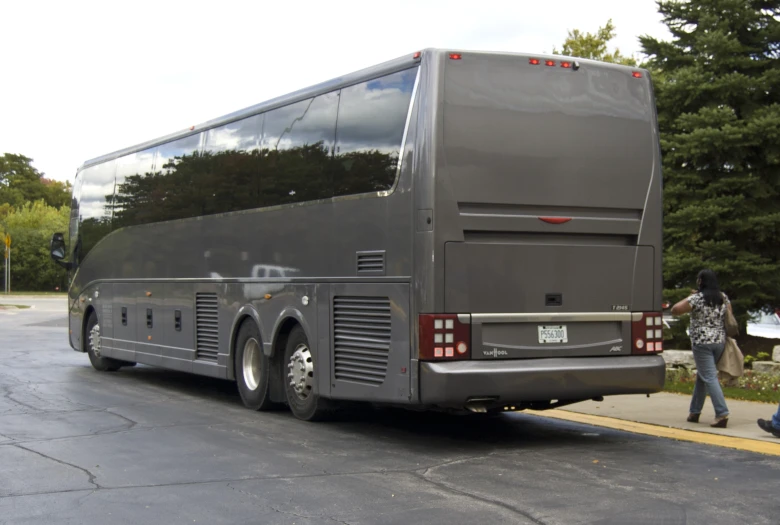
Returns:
<point x="749" y="445"/>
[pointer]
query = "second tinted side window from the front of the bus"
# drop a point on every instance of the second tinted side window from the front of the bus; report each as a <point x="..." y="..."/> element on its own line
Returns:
<point x="134" y="175"/>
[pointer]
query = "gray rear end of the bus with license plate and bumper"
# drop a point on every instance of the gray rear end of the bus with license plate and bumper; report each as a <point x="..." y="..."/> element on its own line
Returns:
<point x="547" y="231"/>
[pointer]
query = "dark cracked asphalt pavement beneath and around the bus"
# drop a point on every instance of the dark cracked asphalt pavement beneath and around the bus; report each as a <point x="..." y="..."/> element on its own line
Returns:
<point x="147" y="445"/>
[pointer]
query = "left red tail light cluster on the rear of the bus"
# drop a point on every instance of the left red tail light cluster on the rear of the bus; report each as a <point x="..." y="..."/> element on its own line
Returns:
<point x="443" y="337"/>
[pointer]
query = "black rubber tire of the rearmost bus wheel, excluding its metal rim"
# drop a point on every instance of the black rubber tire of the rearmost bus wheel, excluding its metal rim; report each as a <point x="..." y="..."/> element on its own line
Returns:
<point x="307" y="405"/>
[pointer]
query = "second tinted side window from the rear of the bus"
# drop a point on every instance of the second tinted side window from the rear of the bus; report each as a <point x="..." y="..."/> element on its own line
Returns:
<point x="297" y="151"/>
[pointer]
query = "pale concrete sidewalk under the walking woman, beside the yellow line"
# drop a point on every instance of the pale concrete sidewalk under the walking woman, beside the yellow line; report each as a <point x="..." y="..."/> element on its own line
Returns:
<point x="670" y="410"/>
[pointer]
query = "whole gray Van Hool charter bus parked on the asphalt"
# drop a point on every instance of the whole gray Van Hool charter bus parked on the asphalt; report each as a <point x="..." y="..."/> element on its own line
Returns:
<point x="449" y="230"/>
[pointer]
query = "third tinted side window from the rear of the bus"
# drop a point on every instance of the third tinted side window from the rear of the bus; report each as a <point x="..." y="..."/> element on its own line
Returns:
<point x="231" y="160"/>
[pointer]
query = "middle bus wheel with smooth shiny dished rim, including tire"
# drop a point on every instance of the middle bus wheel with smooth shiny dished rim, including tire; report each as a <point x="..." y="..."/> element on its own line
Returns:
<point x="252" y="368"/>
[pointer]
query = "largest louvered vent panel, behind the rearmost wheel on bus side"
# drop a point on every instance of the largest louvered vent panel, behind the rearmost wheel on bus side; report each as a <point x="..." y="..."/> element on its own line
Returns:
<point x="361" y="333"/>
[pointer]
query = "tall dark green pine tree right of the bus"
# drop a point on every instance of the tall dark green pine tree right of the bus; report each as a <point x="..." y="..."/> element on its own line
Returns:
<point x="717" y="87"/>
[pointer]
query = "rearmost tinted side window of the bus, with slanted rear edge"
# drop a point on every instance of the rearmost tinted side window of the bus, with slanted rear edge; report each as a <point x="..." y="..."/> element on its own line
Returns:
<point x="371" y="122"/>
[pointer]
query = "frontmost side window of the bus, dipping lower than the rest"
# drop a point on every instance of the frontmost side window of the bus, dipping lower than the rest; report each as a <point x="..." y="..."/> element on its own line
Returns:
<point x="94" y="207"/>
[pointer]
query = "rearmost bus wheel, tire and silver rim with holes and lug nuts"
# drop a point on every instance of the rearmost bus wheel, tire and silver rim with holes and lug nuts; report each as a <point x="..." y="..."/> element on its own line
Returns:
<point x="299" y="379"/>
